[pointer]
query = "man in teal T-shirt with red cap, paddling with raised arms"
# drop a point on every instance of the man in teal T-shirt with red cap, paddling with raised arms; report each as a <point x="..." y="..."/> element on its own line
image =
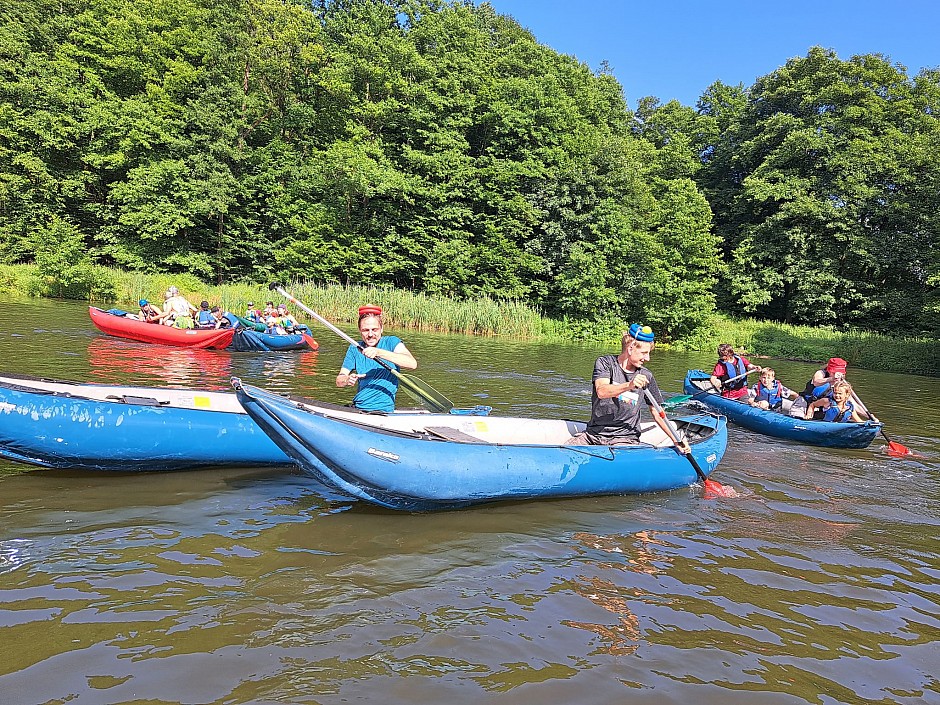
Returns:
<point x="377" y="385"/>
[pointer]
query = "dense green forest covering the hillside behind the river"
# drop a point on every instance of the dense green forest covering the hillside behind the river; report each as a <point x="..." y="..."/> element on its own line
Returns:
<point x="435" y="145"/>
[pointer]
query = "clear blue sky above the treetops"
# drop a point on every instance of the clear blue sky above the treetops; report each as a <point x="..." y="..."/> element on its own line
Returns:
<point x="675" y="49"/>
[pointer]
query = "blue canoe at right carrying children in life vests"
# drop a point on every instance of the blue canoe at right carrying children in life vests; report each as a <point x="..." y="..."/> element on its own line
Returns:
<point x="780" y="425"/>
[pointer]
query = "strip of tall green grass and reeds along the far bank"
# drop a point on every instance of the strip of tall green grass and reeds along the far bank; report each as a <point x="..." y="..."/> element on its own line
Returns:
<point x="409" y="310"/>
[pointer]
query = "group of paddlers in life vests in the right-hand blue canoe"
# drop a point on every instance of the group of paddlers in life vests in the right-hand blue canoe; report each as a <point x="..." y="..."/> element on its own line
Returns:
<point x="826" y="397"/>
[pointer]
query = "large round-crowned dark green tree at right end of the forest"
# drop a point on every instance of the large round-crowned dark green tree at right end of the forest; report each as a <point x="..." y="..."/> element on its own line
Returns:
<point x="824" y="161"/>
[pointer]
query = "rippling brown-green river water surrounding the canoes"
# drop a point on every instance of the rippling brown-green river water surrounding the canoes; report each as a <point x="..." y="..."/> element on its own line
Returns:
<point x="819" y="584"/>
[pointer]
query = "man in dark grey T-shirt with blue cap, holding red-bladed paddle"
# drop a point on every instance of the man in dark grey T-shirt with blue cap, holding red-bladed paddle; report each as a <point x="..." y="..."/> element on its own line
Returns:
<point x="620" y="382"/>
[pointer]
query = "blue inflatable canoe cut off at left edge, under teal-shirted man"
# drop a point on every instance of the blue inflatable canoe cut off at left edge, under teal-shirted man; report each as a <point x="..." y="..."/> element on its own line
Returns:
<point x="58" y="424"/>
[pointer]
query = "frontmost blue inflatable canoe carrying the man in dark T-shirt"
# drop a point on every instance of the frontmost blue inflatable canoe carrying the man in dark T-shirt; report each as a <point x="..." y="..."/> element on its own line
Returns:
<point x="446" y="462"/>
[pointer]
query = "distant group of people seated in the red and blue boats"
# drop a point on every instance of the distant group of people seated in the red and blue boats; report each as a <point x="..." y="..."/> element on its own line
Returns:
<point x="178" y="312"/>
